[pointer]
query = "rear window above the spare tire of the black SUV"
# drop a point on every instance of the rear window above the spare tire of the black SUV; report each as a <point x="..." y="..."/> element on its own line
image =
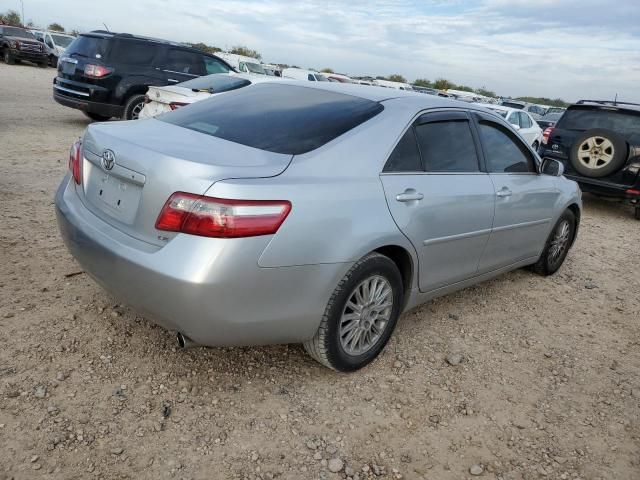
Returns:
<point x="588" y="118"/>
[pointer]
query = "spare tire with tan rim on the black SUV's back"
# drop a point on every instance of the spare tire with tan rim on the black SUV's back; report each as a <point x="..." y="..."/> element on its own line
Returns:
<point x="598" y="152"/>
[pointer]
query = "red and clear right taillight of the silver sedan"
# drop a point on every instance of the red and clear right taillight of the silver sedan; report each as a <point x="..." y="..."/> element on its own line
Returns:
<point x="221" y="217"/>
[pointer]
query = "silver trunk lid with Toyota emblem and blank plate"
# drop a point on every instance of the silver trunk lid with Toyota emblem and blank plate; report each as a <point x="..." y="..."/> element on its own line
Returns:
<point x="130" y="169"/>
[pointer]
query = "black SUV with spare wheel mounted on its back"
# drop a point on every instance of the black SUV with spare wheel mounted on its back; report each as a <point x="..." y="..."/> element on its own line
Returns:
<point x="599" y="144"/>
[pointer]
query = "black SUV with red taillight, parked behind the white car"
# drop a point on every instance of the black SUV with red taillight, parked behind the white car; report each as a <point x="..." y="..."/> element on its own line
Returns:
<point x="107" y="74"/>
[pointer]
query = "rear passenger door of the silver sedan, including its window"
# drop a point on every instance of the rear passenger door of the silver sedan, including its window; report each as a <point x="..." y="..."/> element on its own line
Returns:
<point x="439" y="197"/>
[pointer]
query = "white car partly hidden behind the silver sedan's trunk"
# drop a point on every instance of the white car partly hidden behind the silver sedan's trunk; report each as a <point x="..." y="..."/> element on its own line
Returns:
<point x="165" y="99"/>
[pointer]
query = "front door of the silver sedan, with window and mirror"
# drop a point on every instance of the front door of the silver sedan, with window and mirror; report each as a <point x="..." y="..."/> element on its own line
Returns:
<point x="524" y="200"/>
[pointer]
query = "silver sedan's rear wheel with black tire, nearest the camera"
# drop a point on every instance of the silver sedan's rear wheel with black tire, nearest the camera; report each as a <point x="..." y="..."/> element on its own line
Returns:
<point x="343" y="328"/>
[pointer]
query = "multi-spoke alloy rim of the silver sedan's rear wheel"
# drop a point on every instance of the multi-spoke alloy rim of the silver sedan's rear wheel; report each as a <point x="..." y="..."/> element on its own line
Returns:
<point x="366" y="315"/>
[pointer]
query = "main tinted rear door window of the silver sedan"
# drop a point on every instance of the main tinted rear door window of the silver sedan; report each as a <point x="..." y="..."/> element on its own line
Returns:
<point x="447" y="146"/>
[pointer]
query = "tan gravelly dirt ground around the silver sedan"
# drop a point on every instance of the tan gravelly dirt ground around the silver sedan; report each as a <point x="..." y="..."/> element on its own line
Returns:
<point x="548" y="386"/>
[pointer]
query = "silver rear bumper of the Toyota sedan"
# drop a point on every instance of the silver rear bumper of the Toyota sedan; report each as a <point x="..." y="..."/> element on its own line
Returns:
<point x="212" y="290"/>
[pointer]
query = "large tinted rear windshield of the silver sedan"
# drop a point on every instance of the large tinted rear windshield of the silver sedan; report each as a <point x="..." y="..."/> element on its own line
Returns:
<point x="277" y="118"/>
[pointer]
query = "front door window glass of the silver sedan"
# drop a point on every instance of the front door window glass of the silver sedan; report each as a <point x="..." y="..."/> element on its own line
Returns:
<point x="504" y="152"/>
